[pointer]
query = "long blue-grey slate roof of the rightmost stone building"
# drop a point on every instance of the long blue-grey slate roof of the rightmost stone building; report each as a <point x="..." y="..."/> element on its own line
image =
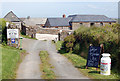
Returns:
<point x="90" y="18"/>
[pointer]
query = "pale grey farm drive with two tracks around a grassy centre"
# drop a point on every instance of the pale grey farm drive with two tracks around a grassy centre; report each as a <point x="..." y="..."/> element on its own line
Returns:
<point x="30" y="66"/>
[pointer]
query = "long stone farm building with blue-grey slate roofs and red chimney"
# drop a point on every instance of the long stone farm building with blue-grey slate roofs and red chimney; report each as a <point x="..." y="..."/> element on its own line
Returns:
<point x="73" y="22"/>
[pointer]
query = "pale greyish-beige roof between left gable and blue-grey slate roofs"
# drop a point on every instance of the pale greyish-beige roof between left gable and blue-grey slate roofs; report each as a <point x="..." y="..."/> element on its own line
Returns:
<point x="34" y="21"/>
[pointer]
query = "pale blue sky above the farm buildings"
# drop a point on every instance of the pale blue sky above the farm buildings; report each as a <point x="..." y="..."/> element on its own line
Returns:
<point x="52" y="8"/>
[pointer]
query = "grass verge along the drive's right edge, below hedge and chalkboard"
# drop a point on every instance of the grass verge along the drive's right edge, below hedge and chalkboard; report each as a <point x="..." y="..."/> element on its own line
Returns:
<point x="80" y="63"/>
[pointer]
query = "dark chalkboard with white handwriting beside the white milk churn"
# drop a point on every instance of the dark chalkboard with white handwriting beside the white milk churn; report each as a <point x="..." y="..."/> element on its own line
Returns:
<point x="93" y="56"/>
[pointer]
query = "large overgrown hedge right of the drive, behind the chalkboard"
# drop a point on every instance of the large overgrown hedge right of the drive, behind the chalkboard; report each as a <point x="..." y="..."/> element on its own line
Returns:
<point x="106" y="35"/>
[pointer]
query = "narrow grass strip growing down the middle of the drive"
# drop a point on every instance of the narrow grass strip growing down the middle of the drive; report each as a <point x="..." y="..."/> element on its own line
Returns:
<point x="46" y="68"/>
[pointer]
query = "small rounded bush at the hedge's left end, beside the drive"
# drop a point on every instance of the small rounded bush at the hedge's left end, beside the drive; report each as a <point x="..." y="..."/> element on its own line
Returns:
<point x="69" y="42"/>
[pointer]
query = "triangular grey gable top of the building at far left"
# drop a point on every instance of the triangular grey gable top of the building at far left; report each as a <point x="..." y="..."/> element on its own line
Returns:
<point x="12" y="17"/>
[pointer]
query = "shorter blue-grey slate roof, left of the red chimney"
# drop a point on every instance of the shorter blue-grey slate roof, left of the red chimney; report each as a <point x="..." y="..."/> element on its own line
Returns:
<point x="59" y="21"/>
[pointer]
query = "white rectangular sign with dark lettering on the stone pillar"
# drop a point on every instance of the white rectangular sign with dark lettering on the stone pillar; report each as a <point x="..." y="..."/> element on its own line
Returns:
<point x="12" y="33"/>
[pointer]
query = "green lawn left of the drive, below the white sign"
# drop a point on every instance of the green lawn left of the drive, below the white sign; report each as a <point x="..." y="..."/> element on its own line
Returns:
<point x="11" y="57"/>
